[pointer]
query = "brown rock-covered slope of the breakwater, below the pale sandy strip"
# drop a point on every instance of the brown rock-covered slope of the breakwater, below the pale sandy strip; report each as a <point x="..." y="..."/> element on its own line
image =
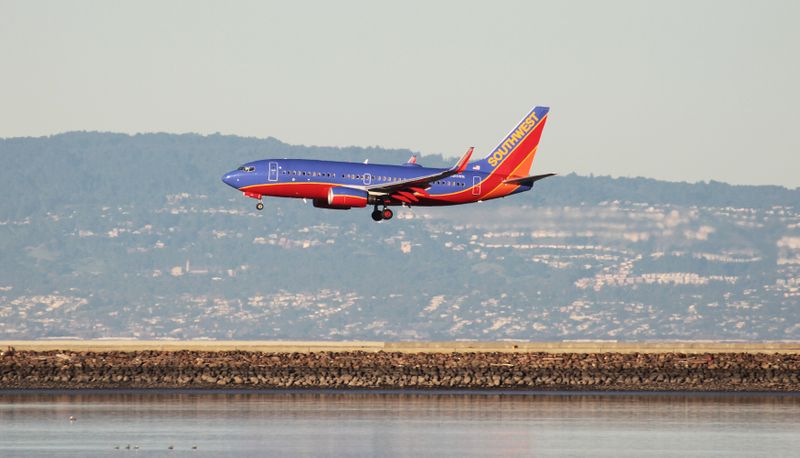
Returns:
<point x="368" y="370"/>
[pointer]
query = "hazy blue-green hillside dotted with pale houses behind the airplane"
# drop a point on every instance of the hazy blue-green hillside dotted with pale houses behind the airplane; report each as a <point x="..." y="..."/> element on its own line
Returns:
<point x="108" y="234"/>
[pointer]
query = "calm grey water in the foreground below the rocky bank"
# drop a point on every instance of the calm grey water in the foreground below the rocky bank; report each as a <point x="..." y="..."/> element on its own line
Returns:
<point x="393" y="423"/>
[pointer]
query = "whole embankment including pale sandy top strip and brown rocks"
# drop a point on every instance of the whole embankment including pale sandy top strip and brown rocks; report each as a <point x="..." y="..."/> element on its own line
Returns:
<point x="376" y="365"/>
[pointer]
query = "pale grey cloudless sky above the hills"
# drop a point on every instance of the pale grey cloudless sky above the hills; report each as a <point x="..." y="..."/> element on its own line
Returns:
<point x="674" y="90"/>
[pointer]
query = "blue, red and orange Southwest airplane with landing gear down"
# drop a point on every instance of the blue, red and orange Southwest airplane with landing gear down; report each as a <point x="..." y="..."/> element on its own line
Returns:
<point x="346" y="185"/>
